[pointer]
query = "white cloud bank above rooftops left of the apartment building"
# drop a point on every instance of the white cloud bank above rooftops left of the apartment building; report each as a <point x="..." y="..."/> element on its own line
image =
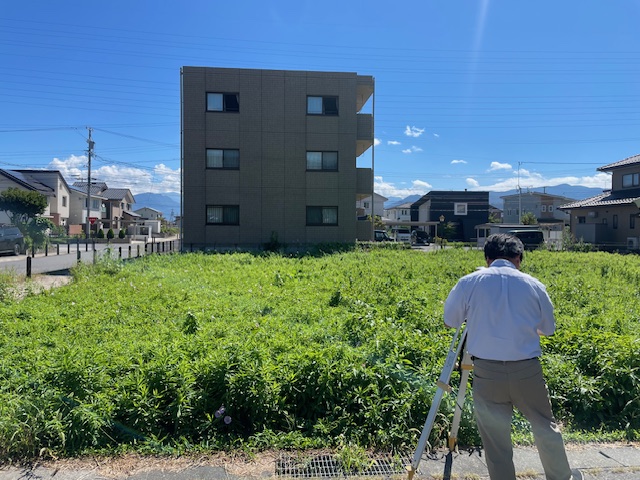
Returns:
<point x="159" y="179"/>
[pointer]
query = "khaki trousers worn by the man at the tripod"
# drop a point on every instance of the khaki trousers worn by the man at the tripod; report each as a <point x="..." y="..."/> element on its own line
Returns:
<point x="498" y="387"/>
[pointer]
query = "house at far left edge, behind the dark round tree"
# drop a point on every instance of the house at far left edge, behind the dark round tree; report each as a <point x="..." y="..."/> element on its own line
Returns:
<point x="50" y="183"/>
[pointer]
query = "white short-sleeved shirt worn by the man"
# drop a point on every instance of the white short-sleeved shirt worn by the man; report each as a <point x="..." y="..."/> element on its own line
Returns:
<point x="504" y="309"/>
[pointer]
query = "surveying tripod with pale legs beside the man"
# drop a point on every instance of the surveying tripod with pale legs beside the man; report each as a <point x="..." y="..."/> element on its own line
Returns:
<point x="458" y="345"/>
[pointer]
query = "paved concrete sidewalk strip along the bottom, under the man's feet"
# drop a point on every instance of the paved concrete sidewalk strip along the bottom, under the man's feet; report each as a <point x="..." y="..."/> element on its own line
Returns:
<point x="597" y="462"/>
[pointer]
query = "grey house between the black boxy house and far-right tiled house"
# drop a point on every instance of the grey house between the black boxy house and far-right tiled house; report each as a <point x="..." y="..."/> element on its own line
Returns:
<point x="542" y="205"/>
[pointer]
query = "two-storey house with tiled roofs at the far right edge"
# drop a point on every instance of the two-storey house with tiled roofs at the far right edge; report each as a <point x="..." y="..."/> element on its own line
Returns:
<point x="610" y="219"/>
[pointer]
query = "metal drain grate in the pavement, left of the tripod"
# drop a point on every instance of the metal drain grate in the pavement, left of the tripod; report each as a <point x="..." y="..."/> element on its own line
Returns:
<point x="329" y="466"/>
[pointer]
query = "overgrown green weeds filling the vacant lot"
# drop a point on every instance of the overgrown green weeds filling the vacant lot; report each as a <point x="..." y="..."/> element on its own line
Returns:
<point x="186" y="352"/>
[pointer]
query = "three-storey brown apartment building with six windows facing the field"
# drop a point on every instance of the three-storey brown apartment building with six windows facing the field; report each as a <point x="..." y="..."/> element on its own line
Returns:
<point x="271" y="154"/>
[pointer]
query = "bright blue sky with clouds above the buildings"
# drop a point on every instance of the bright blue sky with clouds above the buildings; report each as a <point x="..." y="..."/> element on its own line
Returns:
<point x="482" y="95"/>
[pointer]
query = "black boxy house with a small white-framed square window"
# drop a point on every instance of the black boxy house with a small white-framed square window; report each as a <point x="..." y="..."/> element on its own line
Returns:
<point x="461" y="210"/>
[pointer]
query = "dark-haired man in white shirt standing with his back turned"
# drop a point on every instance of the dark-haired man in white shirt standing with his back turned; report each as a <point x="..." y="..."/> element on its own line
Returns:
<point x="506" y="311"/>
